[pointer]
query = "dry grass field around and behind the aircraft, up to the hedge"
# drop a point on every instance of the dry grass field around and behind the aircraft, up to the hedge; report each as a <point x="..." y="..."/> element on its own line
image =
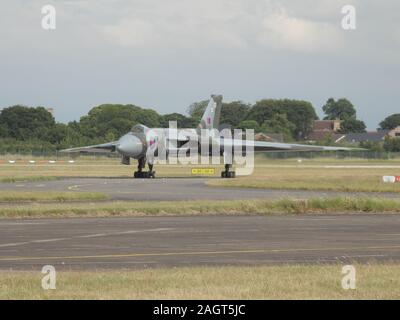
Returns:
<point x="355" y="175"/>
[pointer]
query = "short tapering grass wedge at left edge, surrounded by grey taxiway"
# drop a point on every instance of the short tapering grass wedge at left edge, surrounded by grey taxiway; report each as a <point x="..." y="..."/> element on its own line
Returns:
<point x="15" y="196"/>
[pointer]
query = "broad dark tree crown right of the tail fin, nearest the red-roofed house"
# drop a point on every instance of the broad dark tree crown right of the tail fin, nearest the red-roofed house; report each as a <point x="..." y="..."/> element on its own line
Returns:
<point x="300" y="113"/>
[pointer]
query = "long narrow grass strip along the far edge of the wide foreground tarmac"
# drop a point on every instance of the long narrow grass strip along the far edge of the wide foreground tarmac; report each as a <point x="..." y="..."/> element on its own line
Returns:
<point x="201" y="207"/>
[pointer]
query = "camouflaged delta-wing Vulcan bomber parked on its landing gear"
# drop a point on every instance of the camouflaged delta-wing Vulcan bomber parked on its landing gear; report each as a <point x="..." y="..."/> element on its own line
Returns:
<point x="145" y="144"/>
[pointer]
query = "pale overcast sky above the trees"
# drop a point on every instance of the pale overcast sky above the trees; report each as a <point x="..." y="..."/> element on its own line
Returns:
<point x="166" y="54"/>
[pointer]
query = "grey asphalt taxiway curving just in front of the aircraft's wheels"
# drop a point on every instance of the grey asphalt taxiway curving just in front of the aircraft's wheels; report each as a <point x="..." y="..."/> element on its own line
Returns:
<point x="170" y="189"/>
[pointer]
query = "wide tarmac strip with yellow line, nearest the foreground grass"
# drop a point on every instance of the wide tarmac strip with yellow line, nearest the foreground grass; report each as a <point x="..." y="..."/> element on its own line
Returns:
<point x="146" y="242"/>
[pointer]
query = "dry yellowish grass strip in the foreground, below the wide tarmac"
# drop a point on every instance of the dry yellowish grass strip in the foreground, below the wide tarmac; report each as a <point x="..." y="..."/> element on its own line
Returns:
<point x="271" y="282"/>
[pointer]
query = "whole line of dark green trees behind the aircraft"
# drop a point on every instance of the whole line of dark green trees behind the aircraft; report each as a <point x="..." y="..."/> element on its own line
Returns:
<point x="25" y="128"/>
